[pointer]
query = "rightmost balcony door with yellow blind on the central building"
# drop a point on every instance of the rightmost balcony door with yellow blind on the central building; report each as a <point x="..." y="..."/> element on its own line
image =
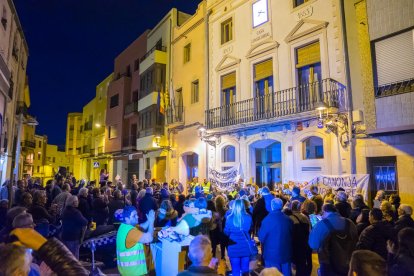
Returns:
<point x="309" y="76"/>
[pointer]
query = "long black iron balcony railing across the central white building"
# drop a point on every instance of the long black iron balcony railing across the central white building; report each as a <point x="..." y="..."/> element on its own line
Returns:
<point x="277" y="104"/>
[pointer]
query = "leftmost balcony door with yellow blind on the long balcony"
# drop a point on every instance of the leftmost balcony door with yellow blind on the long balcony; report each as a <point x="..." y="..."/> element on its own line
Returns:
<point x="228" y="96"/>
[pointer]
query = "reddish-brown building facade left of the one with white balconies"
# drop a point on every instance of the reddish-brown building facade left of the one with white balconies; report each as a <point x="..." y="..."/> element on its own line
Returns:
<point x="122" y="111"/>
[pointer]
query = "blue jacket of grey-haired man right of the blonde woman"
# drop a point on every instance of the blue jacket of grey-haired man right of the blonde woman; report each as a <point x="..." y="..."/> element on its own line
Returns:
<point x="276" y="236"/>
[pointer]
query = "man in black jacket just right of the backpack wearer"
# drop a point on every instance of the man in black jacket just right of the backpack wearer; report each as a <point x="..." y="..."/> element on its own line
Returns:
<point x="375" y="236"/>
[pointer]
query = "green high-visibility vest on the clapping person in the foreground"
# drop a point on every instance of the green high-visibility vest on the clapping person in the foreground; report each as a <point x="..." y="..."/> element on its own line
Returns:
<point x="131" y="261"/>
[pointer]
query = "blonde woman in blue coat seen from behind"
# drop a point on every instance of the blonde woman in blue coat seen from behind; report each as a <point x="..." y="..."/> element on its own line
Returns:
<point x="237" y="228"/>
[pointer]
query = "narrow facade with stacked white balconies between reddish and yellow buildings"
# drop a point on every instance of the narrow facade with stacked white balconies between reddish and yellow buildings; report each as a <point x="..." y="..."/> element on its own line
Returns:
<point x="153" y="97"/>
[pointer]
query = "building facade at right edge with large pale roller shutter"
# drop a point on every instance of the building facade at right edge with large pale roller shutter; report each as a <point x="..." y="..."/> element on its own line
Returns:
<point x="380" y="36"/>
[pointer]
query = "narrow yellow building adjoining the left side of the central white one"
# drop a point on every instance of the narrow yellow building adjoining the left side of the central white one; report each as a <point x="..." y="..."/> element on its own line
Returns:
<point x="185" y="113"/>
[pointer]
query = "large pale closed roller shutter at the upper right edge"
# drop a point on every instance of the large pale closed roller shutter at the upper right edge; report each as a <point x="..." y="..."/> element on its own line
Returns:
<point x="395" y="58"/>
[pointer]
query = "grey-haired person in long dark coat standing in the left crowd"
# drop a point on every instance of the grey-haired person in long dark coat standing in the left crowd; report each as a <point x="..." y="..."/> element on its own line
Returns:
<point x="73" y="225"/>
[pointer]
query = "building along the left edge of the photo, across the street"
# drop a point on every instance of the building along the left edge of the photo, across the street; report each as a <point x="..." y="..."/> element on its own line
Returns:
<point x="13" y="62"/>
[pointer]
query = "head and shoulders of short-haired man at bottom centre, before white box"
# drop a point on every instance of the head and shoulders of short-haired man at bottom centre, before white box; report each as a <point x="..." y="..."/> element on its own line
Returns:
<point x="200" y="255"/>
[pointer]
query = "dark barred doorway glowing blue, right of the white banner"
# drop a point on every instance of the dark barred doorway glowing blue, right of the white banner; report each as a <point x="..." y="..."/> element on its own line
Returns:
<point x="383" y="175"/>
